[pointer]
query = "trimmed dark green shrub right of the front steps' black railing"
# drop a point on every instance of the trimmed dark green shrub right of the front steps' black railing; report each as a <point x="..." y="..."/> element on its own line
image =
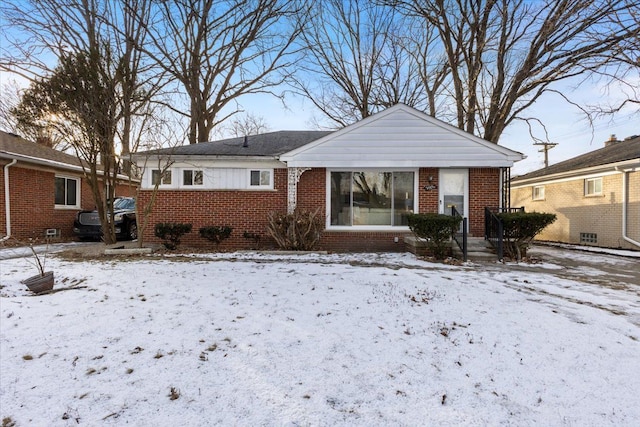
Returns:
<point x="520" y="228"/>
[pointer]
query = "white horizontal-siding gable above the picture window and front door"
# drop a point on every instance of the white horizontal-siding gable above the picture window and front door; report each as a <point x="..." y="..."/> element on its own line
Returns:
<point x="400" y="137"/>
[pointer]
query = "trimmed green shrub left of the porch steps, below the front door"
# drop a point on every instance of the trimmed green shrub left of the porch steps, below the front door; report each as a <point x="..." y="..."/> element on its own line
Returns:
<point x="436" y="229"/>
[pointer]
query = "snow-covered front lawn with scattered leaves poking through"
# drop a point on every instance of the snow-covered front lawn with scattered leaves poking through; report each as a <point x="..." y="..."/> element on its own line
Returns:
<point x="253" y="339"/>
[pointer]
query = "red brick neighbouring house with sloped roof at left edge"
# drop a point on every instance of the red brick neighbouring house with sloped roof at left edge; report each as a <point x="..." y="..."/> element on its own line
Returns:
<point x="42" y="190"/>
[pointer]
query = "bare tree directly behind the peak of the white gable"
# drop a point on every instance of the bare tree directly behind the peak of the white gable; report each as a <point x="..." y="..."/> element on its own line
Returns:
<point x="345" y="43"/>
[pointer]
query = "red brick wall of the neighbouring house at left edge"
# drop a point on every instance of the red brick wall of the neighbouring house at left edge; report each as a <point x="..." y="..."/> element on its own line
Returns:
<point x="32" y="202"/>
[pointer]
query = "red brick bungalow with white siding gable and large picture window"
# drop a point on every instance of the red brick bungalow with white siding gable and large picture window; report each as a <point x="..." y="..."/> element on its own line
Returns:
<point x="363" y="179"/>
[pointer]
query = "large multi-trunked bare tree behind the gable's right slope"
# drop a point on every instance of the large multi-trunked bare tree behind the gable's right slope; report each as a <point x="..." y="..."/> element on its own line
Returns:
<point x="503" y="55"/>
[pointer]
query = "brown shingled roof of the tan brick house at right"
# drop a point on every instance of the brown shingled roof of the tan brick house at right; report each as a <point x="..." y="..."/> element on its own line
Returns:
<point x="617" y="152"/>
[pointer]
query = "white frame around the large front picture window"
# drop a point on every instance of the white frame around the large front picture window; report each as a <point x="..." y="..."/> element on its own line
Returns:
<point x="398" y="228"/>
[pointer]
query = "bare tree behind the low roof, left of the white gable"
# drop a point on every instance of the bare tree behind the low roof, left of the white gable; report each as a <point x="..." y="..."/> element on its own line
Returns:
<point x="217" y="51"/>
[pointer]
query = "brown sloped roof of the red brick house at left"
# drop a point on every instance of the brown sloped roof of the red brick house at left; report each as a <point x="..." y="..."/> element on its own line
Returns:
<point x="14" y="147"/>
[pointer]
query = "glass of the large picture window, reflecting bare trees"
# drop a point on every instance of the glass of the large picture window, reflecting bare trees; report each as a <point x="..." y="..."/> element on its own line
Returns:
<point x="371" y="198"/>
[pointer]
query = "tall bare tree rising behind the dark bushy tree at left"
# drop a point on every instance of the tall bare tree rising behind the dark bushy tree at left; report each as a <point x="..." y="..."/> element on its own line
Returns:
<point x="44" y="31"/>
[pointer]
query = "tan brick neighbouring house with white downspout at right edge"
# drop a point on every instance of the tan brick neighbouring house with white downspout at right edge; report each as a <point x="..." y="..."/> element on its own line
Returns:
<point x="596" y="196"/>
